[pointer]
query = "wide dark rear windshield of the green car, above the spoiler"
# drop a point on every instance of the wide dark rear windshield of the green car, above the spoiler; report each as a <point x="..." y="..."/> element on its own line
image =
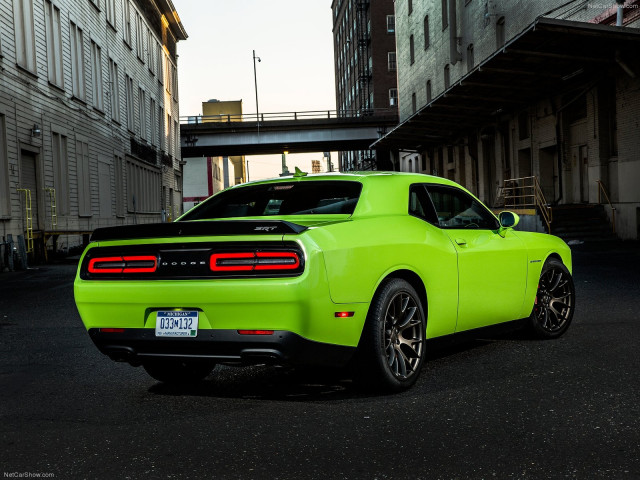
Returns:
<point x="286" y="198"/>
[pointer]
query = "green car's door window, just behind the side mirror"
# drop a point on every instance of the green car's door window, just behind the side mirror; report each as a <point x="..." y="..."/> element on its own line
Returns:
<point x="457" y="209"/>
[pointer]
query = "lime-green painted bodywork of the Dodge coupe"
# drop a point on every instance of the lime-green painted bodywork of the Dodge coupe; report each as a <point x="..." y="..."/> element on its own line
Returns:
<point x="488" y="278"/>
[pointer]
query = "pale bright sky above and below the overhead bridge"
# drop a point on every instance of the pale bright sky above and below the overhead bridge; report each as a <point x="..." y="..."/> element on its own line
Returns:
<point x="294" y="41"/>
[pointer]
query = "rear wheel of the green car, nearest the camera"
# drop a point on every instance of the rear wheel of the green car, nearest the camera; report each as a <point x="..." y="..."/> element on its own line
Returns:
<point x="391" y="349"/>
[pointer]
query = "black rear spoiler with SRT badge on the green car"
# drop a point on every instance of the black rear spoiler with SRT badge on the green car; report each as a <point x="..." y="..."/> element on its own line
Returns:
<point x="196" y="229"/>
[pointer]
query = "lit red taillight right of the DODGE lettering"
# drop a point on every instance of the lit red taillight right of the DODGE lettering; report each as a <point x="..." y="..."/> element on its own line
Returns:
<point x="254" y="261"/>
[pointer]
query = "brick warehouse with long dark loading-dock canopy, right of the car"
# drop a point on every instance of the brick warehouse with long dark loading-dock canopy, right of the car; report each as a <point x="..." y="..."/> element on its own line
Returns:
<point x="493" y="91"/>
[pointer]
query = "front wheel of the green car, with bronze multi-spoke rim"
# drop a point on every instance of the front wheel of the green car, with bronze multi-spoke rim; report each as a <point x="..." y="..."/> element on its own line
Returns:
<point x="554" y="303"/>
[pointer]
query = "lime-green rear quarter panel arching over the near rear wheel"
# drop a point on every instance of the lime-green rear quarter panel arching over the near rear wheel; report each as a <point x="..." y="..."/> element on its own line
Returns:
<point x="359" y="254"/>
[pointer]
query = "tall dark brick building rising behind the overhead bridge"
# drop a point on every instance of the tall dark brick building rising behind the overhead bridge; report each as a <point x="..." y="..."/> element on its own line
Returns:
<point x="365" y="67"/>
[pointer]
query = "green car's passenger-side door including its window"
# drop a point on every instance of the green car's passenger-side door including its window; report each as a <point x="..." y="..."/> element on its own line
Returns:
<point x="492" y="265"/>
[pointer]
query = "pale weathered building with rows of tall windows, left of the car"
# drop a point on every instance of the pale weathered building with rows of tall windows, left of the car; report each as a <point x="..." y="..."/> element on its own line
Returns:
<point x="89" y="131"/>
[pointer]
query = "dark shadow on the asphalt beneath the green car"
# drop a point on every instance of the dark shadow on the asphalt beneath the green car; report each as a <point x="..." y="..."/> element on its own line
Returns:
<point x="268" y="382"/>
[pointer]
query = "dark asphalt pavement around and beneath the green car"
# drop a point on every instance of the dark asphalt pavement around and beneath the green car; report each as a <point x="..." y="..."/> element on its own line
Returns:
<point x="505" y="407"/>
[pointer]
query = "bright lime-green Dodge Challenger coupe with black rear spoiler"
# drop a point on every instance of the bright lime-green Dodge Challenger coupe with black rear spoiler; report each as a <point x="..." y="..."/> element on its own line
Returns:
<point x="335" y="269"/>
